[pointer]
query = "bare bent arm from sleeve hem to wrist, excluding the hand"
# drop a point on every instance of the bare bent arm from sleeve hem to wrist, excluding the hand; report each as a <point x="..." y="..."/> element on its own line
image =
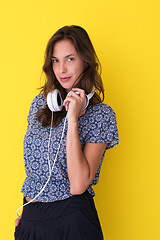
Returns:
<point x="82" y="166"/>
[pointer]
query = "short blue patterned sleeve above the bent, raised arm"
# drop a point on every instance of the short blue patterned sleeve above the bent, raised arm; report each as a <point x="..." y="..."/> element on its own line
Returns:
<point x="102" y="126"/>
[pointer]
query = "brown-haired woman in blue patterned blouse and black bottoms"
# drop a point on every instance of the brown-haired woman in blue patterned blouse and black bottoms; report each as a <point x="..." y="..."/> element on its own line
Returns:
<point x="62" y="162"/>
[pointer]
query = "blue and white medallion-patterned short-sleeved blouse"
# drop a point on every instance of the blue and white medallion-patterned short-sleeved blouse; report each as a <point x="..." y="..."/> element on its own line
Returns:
<point x="97" y="125"/>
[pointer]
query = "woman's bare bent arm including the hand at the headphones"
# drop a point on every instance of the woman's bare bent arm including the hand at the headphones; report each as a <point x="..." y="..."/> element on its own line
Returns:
<point x="81" y="165"/>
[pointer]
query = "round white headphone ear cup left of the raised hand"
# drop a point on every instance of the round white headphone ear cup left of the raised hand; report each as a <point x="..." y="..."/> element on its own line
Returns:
<point x="55" y="101"/>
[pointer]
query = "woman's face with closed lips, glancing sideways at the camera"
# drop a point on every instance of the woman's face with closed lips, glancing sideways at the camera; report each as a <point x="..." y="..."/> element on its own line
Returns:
<point x="67" y="65"/>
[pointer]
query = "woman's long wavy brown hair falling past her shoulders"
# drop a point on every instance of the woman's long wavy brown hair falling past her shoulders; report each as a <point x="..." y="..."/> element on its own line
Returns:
<point x="90" y="77"/>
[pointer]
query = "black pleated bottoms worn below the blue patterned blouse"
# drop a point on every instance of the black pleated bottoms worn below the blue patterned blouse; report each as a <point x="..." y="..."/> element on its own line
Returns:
<point x="74" y="218"/>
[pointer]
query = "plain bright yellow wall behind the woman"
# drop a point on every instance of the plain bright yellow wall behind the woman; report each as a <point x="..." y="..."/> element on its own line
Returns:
<point x="126" y="37"/>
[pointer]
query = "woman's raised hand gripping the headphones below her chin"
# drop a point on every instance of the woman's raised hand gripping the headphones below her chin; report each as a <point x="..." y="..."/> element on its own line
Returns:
<point x="74" y="104"/>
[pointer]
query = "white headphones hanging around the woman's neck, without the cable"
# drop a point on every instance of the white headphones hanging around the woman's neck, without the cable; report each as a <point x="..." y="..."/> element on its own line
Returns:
<point x="55" y="101"/>
